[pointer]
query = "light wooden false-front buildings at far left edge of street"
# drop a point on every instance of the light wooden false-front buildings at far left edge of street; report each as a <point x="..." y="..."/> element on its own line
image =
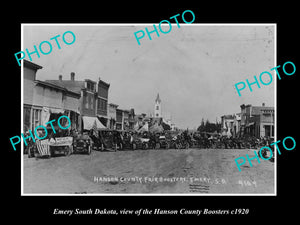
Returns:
<point x="44" y="101"/>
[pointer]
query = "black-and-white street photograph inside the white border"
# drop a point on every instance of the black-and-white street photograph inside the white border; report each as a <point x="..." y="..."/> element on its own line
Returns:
<point x="160" y="118"/>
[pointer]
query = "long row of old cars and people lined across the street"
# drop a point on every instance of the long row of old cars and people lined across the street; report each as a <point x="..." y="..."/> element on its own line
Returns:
<point x="69" y="142"/>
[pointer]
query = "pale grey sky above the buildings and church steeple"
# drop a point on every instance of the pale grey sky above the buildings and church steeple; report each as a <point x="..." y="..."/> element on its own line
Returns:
<point x="193" y="68"/>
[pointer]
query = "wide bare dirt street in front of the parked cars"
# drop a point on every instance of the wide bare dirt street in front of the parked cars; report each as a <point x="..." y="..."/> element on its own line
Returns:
<point x="192" y="171"/>
